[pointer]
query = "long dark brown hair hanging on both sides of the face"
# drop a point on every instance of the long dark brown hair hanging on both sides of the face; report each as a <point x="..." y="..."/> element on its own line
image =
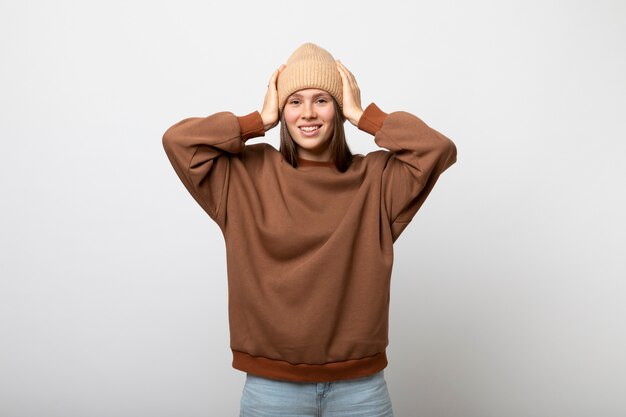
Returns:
<point x="340" y="153"/>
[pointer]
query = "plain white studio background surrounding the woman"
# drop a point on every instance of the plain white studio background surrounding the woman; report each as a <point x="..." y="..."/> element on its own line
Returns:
<point x="508" y="292"/>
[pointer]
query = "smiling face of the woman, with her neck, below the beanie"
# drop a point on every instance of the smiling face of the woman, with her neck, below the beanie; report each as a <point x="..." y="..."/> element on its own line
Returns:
<point x="310" y="116"/>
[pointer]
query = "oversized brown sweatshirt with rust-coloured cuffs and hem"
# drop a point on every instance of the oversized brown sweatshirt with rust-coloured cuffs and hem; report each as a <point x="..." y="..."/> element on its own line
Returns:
<point x="309" y="250"/>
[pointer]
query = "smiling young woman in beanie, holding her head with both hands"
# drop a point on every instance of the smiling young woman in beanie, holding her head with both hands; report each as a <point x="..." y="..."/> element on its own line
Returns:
<point x="309" y="232"/>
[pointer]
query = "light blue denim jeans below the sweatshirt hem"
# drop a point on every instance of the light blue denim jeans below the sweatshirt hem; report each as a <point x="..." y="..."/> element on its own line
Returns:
<point x="362" y="397"/>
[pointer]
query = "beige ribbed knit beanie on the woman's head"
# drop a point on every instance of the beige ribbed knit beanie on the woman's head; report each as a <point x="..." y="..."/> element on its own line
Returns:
<point x="310" y="67"/>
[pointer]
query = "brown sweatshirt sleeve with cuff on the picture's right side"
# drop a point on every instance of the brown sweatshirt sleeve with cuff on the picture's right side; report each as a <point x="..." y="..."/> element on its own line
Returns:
<point x="419" y="155"/>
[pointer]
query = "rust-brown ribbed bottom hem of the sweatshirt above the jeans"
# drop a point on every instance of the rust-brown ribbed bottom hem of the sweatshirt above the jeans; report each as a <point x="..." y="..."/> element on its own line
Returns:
<point x="285" y="371"/>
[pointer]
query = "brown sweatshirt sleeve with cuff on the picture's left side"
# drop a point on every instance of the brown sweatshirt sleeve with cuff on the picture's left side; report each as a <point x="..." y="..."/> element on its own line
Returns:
<point x="200" y="151"/>
